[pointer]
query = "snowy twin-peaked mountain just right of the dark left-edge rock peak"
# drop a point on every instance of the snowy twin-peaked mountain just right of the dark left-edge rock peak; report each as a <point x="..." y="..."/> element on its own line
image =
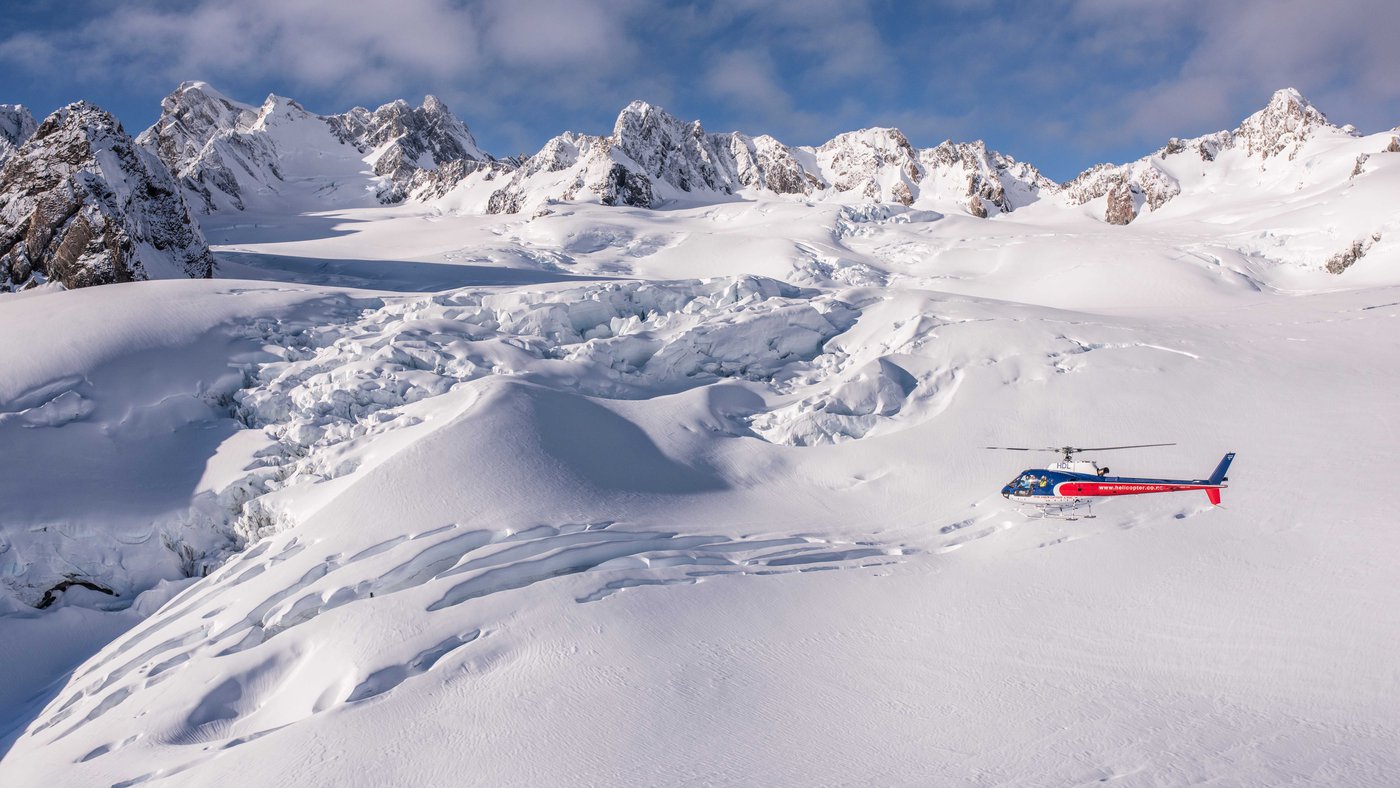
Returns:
<point x="227" y="153"/>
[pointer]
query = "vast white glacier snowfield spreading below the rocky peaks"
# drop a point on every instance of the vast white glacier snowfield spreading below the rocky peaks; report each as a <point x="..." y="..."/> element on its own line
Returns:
<point x="625" y="496"/>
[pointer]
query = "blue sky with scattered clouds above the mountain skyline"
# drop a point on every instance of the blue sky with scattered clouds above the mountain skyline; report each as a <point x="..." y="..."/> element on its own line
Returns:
<point x="1059" y="83"/>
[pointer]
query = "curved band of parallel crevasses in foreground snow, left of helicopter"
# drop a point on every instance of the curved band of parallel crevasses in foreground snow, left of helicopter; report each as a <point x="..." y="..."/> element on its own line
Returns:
<point x="267" y="681"/>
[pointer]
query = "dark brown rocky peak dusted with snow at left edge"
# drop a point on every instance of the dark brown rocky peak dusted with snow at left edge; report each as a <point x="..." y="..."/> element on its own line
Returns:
<point x="82" y="205"/>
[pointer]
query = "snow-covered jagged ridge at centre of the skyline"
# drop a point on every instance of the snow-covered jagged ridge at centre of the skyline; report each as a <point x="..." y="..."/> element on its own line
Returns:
<point x="653" y="156"/>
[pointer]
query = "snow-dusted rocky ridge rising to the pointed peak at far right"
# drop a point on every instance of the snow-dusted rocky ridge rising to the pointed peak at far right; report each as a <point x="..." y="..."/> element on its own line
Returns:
<point x="1280" y="129"/>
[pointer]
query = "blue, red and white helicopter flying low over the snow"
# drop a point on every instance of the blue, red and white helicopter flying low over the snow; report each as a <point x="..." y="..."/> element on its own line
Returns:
<point x="1067" y="485"/>
